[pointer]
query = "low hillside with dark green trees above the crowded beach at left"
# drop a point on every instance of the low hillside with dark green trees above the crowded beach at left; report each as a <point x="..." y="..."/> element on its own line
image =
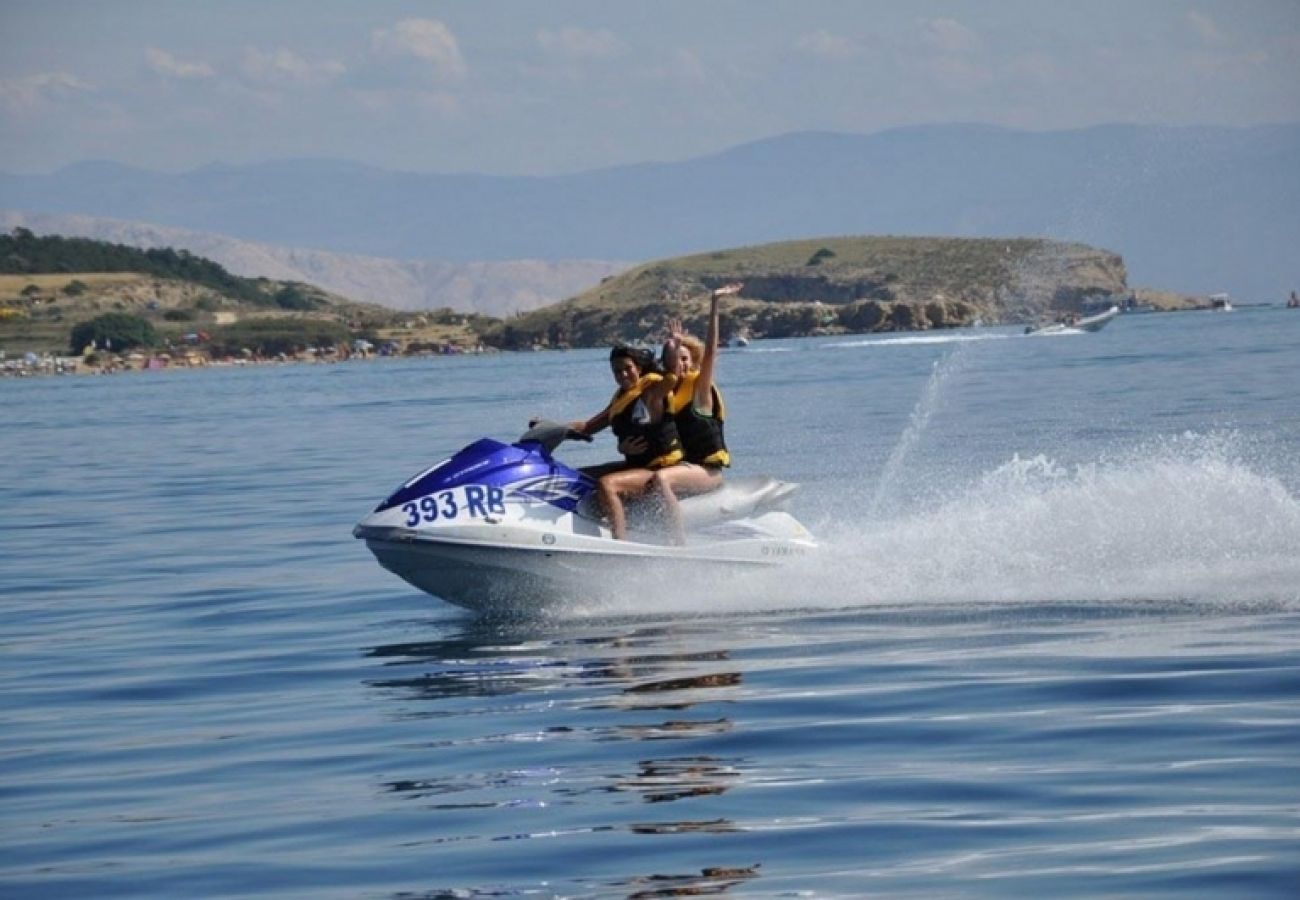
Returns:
<point x="66" y="295"/>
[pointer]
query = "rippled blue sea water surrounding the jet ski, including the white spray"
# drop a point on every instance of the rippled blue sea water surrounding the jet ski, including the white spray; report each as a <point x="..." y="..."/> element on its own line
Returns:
<point x="1052" y="647"/>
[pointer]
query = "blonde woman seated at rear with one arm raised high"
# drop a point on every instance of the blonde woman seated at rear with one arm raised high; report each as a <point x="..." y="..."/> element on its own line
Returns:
<point x="697" y="409"/>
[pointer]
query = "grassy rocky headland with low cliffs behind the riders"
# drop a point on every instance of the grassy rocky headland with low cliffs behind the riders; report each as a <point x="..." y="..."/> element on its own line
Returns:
<point x="872" y="284"/>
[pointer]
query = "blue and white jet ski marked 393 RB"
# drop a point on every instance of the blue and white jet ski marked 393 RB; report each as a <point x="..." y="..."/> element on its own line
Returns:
<point x="508" y="527"/>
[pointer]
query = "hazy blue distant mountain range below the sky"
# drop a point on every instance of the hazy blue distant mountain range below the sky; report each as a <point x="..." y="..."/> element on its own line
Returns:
<point x="1194" y="210"/>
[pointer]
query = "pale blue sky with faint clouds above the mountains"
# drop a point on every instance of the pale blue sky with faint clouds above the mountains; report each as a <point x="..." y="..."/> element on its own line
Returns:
<point x="532" y="88"/>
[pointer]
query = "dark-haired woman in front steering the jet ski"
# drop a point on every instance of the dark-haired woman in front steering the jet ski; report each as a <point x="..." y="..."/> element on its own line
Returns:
<point x="647" y="432"/>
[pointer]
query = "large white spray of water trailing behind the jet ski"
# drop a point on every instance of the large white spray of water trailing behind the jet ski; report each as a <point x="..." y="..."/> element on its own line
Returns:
<point x="1186" y="521"/>
